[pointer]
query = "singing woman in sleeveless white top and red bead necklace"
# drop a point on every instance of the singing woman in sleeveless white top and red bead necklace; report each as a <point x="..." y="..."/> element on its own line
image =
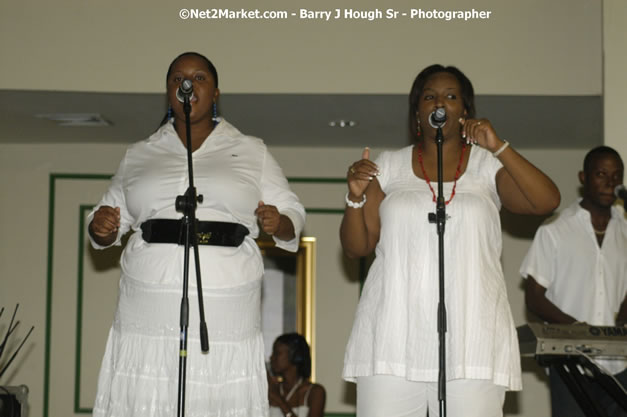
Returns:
<point x="392" y="353"/>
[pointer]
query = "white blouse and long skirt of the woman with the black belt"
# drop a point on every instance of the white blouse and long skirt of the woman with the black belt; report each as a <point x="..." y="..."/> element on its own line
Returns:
<point x="139" y="374"/>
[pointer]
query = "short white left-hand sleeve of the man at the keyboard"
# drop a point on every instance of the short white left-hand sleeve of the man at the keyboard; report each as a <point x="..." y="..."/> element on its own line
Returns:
<point x="540" y="260"/>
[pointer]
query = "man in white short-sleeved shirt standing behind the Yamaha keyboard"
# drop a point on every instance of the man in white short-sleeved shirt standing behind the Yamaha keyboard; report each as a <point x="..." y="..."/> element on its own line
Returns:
<point x="576" y="269"/>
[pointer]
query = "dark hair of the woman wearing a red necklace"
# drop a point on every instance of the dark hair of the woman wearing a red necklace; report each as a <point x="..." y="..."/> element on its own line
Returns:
<point x="468" y="92"/>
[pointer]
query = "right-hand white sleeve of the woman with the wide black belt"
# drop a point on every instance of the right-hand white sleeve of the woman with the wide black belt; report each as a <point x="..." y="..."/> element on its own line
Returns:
<point x="276" y="191"/>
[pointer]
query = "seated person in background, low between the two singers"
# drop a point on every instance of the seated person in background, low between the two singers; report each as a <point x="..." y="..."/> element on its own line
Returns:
<point x="290" y="392"/>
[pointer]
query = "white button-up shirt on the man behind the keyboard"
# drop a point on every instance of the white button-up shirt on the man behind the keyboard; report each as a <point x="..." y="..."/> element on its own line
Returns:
<point x="583" y="280"/>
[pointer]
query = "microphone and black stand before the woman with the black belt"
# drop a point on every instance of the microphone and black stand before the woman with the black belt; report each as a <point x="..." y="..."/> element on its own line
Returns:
<point x="187" y="204"/>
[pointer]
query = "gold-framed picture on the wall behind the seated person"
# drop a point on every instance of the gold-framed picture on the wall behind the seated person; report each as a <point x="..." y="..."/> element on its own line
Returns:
<point x="288" y="295"/>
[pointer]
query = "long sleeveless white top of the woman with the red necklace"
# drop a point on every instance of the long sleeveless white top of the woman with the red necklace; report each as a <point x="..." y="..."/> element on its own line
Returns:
<point x="395" y="329"/>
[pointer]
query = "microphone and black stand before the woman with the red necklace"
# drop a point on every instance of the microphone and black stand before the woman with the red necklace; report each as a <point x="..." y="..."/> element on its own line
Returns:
<point x="439" y="219"/>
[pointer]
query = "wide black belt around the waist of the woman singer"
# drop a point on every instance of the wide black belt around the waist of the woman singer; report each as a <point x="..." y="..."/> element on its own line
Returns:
<point x="208" y="233"/>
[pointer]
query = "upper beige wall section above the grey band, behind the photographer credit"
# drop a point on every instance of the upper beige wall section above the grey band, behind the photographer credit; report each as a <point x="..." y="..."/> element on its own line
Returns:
<point x="526" y="47"/>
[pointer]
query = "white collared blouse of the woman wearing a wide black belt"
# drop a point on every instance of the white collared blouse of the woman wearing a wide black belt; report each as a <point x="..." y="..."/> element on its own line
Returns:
<point x="232" y="171"/>
